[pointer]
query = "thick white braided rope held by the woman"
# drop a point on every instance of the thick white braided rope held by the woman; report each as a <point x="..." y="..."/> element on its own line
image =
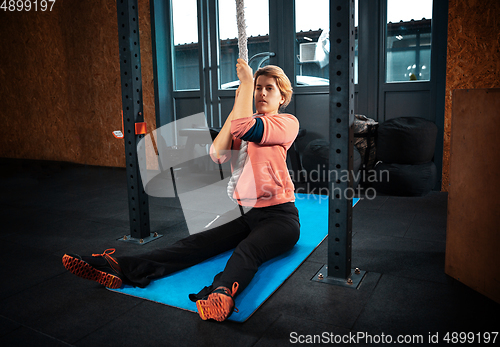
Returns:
<point x="243" y="50"/>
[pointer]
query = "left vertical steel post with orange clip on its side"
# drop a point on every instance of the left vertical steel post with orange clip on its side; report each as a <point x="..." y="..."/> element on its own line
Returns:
<point x="132" y="104"/>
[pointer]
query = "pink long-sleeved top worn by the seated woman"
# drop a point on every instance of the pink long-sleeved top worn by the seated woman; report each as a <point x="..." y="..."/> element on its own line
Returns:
<point x="265" y="180"/>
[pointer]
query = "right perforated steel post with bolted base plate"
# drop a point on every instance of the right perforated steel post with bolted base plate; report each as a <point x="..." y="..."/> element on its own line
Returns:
<point x="338" y="269"/>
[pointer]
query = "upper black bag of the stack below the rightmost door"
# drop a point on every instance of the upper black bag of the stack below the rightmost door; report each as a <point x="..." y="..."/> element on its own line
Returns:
<point x="406" y="140"/>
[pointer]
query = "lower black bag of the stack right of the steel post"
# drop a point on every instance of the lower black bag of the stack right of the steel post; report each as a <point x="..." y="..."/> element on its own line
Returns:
<point x="404" y="179"/>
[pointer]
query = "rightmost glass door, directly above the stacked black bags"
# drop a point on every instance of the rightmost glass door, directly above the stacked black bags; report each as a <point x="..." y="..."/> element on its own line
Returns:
<point x="405" y="65"/>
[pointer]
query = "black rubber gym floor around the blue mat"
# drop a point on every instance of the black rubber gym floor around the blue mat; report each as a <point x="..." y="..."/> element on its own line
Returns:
<point x="50" y="208"/>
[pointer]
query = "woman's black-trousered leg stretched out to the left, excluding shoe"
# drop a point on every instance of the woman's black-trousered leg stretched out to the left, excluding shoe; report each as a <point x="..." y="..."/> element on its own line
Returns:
<point x="139" y="270"/>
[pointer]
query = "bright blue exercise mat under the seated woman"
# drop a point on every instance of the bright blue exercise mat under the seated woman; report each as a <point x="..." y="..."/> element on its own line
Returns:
<point x="173" y="290"/>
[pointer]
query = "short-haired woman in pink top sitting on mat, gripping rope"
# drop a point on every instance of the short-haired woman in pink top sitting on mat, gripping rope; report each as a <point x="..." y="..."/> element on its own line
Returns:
<point x="265" y="231"/>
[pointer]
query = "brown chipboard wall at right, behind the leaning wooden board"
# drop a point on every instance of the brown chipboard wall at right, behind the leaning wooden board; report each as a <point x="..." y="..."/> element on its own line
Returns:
<point x="473" y="57"/>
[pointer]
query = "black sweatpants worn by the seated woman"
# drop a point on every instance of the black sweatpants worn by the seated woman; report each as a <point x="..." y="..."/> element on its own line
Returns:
<point x="257" y="236"/>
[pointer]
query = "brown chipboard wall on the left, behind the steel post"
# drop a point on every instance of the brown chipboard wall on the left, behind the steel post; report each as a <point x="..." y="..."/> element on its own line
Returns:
<point x="60" y="82"/>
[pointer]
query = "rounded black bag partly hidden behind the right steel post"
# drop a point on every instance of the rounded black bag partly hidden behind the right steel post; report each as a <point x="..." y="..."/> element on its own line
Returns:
<point x="315" y="162"/>
